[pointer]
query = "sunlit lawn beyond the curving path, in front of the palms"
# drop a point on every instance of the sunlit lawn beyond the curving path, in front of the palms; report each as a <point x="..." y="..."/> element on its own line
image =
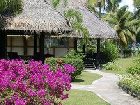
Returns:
<point x="124" y="63"/>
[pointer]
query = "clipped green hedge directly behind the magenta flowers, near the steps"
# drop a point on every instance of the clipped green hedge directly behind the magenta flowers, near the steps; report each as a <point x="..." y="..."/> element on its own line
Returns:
<point x="77" y="63"/>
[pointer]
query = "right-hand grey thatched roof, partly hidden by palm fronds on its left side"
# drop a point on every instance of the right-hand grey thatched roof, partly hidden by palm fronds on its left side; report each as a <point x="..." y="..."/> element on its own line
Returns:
<point x="97" y="28"/>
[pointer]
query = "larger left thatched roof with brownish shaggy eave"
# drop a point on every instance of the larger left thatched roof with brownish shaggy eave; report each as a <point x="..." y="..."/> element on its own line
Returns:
<point x="39" y="16"/>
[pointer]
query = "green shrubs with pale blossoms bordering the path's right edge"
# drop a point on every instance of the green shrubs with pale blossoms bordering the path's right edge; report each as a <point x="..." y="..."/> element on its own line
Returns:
<point x="131" y="81"/>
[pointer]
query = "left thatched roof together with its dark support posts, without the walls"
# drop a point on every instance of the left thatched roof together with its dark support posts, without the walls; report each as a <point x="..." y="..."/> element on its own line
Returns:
<point x="37" y="19"/>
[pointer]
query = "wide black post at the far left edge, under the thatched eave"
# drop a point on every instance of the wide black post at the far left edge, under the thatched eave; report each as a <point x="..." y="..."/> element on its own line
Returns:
<point x="3" y="44"/>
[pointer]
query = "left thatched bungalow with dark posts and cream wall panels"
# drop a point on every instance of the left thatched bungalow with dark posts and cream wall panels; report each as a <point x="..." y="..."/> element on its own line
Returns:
<point x="37" y="21"/>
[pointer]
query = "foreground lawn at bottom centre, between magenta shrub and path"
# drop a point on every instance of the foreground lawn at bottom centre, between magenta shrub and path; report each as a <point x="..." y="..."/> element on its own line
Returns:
<point x="79" y="97"/>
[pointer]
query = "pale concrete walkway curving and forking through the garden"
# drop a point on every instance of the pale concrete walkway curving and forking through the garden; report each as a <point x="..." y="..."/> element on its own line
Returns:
<point x="107" y="89"/>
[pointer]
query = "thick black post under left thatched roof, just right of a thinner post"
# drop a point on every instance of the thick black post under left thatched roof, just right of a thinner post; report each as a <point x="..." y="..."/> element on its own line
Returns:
<point x="41" y="46"/>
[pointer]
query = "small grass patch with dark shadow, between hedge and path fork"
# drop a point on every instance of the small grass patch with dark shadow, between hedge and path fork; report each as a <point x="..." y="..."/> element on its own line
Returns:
<point x="86" y="78"/>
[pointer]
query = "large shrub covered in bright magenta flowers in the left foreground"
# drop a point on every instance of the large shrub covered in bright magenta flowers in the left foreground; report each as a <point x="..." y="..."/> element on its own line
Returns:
<point x="33" y="83"/>
